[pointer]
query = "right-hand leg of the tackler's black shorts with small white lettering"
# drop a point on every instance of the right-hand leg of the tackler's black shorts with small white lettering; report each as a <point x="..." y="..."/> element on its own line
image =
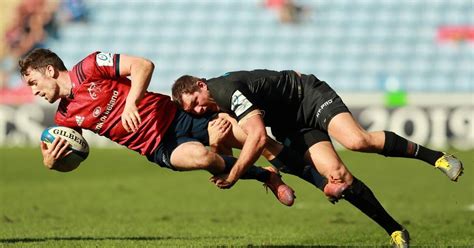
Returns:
<point x="319" y="105"/>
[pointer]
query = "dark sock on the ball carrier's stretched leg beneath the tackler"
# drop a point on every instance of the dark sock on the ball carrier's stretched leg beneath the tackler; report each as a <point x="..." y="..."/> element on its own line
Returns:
<point x="291" y="162"/>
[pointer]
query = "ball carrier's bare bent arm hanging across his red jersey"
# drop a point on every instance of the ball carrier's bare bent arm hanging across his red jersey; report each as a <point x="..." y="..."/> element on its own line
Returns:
<point x="140" y="71"/>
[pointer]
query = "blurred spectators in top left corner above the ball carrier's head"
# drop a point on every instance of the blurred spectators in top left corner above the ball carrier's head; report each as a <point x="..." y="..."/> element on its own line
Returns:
<point x="28" y="24"/>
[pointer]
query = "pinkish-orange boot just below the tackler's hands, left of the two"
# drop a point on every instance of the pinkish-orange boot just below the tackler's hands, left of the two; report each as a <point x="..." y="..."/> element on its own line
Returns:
<point x="283" y="192"/>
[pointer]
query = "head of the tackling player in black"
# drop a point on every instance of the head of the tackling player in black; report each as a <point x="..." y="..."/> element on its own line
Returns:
<point x="193" y="96"/>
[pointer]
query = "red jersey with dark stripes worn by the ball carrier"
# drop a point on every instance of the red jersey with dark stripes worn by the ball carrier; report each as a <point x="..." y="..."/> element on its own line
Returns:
<point x="98" y="99"/>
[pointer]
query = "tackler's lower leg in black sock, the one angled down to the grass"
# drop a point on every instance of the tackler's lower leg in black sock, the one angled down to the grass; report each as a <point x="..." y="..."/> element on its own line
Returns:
<point x="355" y="192"/>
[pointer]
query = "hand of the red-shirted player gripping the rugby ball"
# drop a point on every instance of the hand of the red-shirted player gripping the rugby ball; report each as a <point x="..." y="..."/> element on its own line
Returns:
<point x="57" y="150"/>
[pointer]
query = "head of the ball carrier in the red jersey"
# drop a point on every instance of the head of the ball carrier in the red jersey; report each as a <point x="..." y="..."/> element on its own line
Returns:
<point x="40" y="69"/>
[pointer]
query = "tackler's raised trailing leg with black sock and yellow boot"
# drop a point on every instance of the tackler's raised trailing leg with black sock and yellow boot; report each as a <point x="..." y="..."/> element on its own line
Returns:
<point x="347" y="131"/>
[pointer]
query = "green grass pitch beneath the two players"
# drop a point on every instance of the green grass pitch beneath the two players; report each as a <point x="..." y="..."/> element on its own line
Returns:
<point x="116" y="198"/>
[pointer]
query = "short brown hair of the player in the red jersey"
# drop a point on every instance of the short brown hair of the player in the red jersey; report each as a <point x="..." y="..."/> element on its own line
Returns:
<point x="38" y="59"/>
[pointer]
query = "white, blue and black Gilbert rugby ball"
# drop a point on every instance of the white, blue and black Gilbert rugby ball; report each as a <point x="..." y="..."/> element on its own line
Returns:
<point x="77" y="143"/>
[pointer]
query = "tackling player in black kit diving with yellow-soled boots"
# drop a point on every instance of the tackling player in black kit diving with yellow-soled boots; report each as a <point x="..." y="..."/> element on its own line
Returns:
<point x="303" y="111"/>
